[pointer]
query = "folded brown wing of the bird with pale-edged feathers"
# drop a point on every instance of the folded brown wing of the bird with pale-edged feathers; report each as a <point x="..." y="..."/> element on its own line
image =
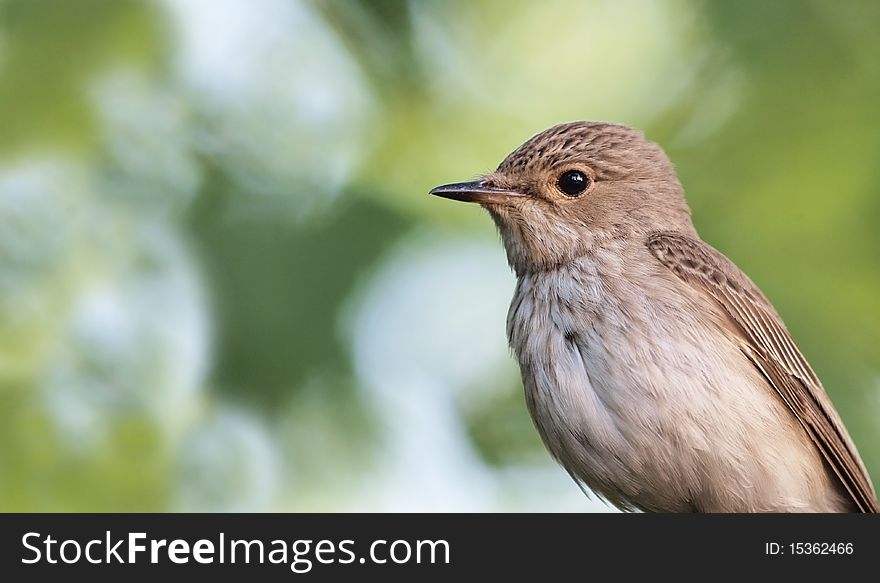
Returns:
<point x="770" y="348"/>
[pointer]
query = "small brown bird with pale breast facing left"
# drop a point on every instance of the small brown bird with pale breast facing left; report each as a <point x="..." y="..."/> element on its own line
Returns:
<point x="656" y="372"/>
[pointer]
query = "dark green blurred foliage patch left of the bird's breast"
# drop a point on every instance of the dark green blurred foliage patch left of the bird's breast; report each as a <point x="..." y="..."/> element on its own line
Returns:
<point x="262" y="264"/>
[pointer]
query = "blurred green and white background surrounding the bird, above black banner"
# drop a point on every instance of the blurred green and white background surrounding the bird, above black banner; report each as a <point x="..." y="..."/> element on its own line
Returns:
<point x="224" y="287"/>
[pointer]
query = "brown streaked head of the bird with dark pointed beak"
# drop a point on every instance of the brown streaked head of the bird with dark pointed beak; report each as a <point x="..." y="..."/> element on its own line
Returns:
<point x="573" y="186"/>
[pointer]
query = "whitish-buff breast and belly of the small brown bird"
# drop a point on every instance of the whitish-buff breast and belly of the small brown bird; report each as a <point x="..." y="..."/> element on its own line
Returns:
<point x="639" y="391"/>
